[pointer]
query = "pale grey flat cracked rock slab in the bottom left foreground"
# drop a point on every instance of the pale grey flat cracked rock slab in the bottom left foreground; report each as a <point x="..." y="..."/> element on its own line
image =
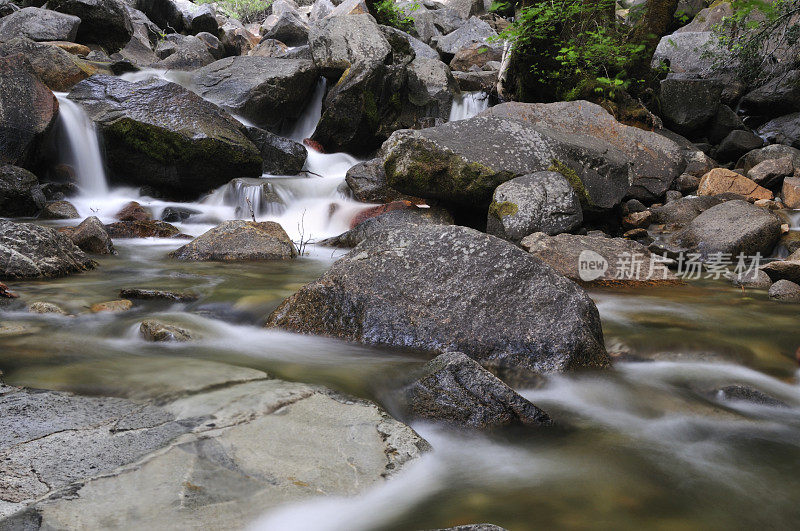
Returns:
<point x="215" y="460"/>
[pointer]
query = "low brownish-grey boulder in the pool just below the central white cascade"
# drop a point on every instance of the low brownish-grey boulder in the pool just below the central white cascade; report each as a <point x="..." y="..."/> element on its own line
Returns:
<point x="239" y="241"/>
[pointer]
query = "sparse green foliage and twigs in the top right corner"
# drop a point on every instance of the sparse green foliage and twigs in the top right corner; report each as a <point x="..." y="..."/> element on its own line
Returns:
<point x="761" y="38"/>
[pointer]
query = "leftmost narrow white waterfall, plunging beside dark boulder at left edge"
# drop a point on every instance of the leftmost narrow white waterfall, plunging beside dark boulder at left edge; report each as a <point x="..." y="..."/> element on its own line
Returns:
<point x="82" y="148"/>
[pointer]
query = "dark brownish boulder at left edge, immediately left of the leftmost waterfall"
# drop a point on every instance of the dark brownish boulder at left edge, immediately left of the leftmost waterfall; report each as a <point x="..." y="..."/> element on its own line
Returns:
<point x="28" y="111"/>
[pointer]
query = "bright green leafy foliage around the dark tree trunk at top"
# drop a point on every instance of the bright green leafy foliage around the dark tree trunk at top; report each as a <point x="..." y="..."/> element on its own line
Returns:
<point x="574" y="49"/>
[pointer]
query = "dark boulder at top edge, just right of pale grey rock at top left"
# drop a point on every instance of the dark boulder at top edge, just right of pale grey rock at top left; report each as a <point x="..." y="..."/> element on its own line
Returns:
<point x="103" y="22"/>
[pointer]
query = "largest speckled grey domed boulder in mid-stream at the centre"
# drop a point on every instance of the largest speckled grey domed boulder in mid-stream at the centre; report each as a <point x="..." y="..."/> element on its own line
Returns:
<point x="438" y="289"/>
